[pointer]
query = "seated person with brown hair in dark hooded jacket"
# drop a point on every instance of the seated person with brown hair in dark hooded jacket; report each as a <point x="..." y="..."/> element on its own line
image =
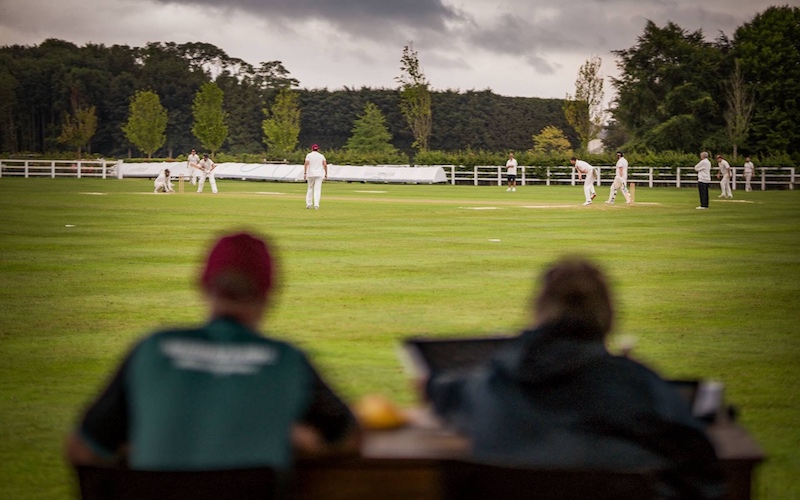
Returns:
<point x="557" y="398"/>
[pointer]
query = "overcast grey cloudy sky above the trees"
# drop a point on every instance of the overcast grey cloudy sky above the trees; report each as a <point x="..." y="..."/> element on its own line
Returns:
<point x="529" y="48"/>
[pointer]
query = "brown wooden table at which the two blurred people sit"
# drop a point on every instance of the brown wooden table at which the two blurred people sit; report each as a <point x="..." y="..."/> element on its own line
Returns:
<point x="408" y="463"/>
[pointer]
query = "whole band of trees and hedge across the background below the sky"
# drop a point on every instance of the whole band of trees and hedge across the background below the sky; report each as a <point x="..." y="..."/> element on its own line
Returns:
<point x="676" y="92"/>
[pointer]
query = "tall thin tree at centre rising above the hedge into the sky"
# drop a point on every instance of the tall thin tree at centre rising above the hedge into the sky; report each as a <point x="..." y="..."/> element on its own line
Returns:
<point x="415" y="95"/>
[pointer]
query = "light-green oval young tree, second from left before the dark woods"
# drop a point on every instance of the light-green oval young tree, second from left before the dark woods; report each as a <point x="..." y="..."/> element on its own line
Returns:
<point x="147" y="121"/>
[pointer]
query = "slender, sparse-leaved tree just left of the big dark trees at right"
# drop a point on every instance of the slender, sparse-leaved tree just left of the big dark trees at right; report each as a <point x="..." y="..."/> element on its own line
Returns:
<point x="584" y="111"/>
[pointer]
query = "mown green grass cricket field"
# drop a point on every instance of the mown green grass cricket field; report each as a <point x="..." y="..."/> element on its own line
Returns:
<point x="89" y="265"/>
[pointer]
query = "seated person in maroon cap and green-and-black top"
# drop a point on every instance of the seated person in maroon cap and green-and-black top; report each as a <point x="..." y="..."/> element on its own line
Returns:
<point x="219" y="396"/>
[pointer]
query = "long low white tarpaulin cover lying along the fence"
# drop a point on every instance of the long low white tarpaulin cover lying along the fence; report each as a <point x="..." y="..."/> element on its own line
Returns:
<point x="292" y="173"/>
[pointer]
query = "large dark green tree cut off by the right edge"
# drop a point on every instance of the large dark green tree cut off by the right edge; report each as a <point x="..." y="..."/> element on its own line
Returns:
<point x="768" y="48"/>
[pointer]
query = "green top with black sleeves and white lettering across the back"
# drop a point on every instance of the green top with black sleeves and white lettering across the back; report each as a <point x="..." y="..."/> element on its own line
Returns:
<point x="220" y="396"/>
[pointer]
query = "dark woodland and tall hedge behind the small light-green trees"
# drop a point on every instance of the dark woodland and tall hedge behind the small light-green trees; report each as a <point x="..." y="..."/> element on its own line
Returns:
<point x="42" y="87"/>
